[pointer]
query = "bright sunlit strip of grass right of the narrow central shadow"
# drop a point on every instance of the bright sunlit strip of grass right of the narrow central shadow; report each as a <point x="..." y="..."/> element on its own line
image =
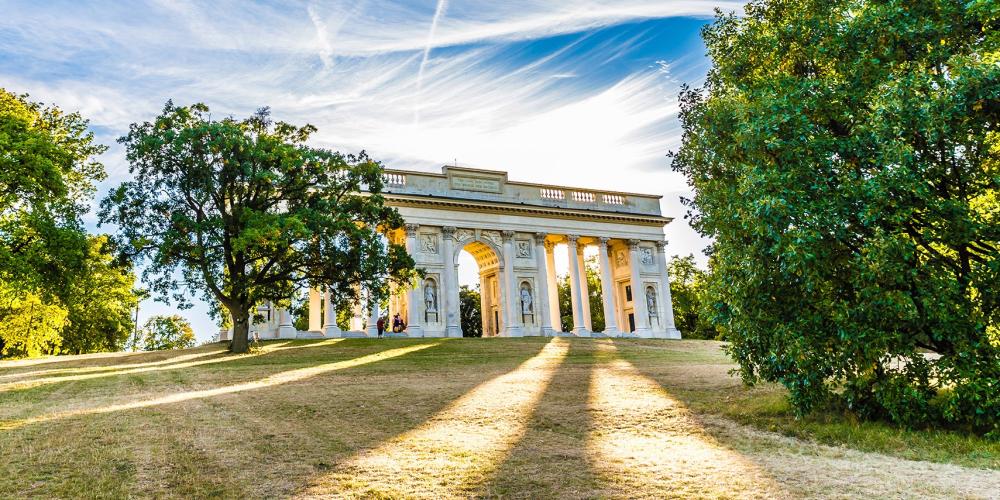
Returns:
<point x="645" y="442"/>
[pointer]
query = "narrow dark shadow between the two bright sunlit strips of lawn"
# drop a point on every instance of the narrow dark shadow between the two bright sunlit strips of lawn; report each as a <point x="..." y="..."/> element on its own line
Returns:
<point x="550" y="461"/>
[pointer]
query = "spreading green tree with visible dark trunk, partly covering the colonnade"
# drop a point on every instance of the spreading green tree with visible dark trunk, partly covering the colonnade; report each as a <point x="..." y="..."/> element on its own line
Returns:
<point x="243" y="211"/>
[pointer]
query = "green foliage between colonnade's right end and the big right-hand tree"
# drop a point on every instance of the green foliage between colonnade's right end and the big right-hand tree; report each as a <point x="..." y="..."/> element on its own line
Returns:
<point x="690" y="298"/>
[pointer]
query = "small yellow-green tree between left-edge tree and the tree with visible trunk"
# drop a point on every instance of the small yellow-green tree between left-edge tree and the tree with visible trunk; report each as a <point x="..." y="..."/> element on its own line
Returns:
<point x="100" y="302"/>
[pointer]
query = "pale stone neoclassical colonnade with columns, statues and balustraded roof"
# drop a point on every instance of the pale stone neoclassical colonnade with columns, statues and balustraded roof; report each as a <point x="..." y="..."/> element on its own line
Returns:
<point x="511" y="229"/>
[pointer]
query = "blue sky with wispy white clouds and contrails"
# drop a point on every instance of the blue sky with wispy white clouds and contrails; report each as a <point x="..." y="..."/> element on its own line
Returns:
<point x="575" y="93"/>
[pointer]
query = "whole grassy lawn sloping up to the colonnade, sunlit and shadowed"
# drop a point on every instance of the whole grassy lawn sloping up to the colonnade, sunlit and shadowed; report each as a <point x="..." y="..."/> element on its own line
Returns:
<point x="439" y="418"/>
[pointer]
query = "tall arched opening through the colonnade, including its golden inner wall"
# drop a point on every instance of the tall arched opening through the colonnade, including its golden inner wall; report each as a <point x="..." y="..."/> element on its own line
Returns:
<point x="480" y="290"/>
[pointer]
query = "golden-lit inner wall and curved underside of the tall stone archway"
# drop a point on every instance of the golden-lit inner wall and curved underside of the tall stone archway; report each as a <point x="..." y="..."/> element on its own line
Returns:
<point x="488" y="257"/>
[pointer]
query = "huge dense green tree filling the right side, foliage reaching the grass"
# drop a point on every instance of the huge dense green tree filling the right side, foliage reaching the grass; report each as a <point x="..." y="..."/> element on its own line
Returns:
<point x="844" y="155"/>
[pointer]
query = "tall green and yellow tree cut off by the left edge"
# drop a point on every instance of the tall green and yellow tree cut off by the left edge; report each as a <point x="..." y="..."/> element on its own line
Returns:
<point x="47" y="175"/>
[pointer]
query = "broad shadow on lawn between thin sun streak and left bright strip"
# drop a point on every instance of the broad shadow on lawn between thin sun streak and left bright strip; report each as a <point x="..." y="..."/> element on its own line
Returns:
<point x="273" y="440"/>
